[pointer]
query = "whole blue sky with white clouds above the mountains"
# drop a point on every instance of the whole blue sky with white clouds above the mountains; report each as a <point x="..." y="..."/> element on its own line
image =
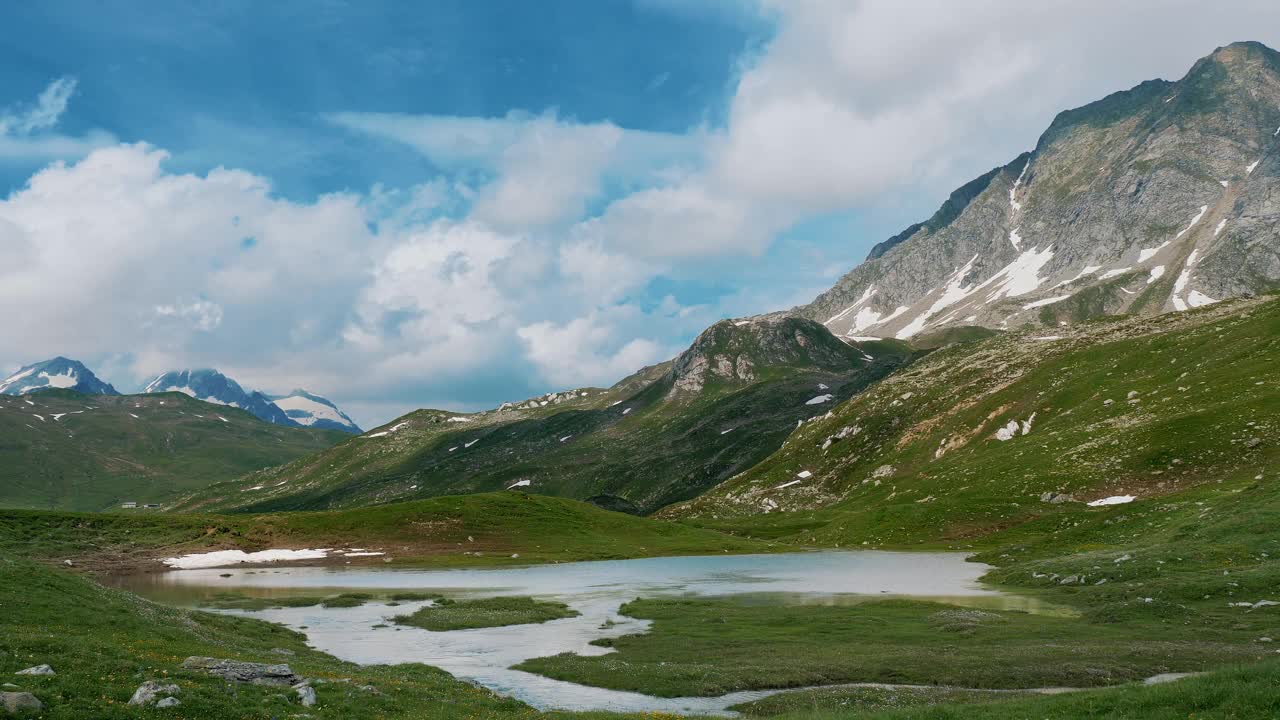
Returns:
<point x="461" y="203"/>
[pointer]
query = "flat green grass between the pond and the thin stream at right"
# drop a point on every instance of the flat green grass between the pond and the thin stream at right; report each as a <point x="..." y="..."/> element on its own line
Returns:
<point x="710" y="648"/>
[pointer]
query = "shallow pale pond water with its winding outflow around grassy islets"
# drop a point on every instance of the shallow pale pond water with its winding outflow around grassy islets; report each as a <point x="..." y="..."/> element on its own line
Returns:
<point x="596" y="590"/>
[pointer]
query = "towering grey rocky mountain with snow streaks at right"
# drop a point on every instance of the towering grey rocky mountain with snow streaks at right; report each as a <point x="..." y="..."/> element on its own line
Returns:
<point x="1155" y="199"/>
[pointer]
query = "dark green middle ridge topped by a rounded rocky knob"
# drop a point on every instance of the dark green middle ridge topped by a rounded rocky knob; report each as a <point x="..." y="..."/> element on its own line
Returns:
<point x="665" y="435"/>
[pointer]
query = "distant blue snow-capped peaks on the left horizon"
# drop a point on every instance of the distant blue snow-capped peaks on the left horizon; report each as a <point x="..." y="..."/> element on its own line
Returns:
<point x="296" y="409"/>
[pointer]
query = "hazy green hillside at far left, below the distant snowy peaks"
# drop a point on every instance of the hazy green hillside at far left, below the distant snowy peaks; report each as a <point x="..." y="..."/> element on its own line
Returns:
<point x="66" y="450"/>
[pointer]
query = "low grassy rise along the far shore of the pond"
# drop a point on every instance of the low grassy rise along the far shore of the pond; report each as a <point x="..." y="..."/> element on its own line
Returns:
<point x="470" y="530"/>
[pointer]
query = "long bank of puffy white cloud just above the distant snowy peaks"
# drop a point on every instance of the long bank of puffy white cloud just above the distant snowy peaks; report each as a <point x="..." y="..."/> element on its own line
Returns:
<point x="360" y="297"/>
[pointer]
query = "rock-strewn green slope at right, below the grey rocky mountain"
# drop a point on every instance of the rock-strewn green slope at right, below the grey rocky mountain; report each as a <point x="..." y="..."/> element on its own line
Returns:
<point x="1146" y="408"/>
